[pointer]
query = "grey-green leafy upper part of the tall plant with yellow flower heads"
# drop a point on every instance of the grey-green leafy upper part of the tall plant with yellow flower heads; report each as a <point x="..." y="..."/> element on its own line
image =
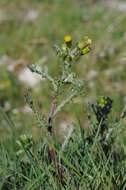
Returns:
<point x="67" y="83"/>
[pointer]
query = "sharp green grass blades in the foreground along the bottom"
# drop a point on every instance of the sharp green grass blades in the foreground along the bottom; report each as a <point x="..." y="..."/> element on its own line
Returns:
<point x="83" y="163"/>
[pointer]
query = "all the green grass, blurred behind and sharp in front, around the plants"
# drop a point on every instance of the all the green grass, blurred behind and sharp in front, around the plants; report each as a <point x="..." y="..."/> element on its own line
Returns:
<point x="84" y="168"/>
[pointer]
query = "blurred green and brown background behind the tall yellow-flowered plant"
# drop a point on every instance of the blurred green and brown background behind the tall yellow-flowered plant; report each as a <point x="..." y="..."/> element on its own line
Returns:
<point x="28" y="31"/>
